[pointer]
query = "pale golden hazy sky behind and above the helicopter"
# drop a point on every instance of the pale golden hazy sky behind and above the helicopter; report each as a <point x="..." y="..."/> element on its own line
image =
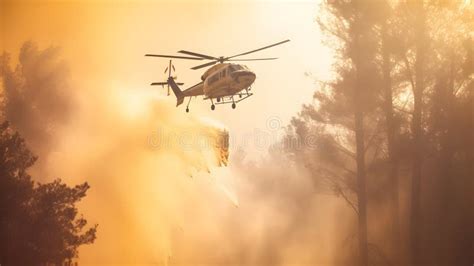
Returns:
<point x="105" y="42"/>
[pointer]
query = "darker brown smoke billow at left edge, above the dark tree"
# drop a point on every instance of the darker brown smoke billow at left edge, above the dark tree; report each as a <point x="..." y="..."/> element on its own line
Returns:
<point x="36" y="95"/>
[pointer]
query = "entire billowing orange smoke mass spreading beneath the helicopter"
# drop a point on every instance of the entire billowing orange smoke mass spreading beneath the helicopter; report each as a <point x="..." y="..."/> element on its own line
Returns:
<point x="157" y="191"/>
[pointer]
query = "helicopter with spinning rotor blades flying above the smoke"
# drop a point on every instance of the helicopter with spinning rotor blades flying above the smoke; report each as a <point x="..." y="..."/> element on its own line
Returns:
<point x="221" y="82"/>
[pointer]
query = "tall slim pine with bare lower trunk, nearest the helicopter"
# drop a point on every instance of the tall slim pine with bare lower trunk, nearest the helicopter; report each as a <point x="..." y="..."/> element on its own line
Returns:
<point x="353" y="24"/>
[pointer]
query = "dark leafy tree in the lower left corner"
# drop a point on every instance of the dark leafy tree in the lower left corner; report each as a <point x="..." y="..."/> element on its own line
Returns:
<point x="39" y="223"/>
